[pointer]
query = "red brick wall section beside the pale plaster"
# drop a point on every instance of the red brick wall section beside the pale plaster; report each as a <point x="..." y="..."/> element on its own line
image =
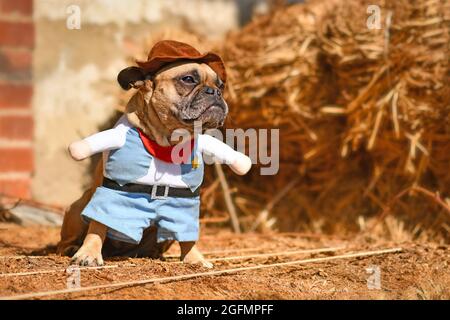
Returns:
<point x="16" y="90"/>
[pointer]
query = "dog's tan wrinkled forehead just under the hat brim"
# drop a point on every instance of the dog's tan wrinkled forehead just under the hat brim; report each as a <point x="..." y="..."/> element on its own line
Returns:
<point x="201" y="72"/>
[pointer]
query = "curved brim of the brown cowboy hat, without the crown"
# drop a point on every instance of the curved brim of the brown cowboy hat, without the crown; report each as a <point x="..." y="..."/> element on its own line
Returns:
<point x="211" y="59"/>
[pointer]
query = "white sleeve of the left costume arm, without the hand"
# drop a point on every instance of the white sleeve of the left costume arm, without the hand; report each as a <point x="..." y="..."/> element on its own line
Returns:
<point x="109" y="139"/>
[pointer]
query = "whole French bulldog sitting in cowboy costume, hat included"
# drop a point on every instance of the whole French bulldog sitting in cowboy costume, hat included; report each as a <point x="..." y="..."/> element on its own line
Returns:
<point x="176" y="88"/>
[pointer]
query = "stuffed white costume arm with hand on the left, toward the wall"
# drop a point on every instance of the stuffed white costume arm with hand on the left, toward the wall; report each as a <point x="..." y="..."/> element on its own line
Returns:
<point x="99" y="142"/>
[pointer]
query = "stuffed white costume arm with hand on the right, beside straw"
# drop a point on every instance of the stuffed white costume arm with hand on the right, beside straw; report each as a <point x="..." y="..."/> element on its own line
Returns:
<point x="237" y="161"/>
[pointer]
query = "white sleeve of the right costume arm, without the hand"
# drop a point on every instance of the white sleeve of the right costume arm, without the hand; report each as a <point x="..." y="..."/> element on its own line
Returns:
<point x="214" y="147"/>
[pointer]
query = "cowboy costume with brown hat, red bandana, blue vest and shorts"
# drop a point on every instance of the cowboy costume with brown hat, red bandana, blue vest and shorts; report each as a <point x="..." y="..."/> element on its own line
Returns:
<point x="142" y="185"/>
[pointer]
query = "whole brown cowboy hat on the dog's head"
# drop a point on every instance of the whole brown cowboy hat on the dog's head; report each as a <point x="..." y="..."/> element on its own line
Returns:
<point x="166" y="51"/>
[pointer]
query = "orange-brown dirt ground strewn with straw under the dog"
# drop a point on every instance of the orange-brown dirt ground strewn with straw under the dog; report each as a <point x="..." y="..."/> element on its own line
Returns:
<point x="419" y="271"/>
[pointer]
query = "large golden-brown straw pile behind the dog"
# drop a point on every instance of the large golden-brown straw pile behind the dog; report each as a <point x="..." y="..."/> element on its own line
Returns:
<point x="363" y="114"/>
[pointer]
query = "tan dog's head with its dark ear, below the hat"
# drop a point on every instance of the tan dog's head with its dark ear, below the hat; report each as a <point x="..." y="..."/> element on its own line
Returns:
<point x="182" y="94"/>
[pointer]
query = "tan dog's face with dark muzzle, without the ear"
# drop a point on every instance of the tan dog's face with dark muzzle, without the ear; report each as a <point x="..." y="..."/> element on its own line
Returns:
<point x="189" y="92"/>
